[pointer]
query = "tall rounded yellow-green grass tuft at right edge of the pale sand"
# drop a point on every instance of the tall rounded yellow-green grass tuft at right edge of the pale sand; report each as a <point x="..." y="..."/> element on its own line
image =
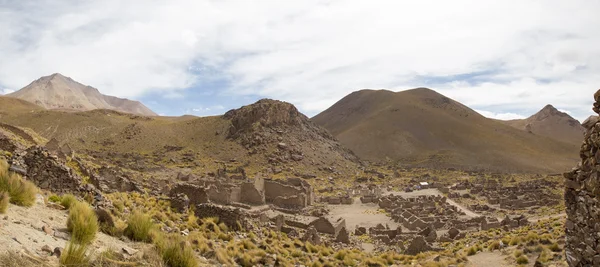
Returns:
<point x="82" y="223"/>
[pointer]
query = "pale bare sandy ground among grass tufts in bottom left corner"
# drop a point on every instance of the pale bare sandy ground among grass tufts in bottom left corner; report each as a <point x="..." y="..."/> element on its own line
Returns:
<point x="21" y="230"/>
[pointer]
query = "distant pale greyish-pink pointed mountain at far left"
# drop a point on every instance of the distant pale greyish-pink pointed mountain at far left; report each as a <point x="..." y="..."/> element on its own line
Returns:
<point x="59" y="92"/>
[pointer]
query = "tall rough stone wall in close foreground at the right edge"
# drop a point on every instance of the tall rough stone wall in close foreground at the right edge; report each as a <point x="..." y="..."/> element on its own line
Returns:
<point x="582" y="191"/>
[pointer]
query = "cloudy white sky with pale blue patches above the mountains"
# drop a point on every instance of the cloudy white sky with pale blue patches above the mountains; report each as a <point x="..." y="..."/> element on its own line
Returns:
<point x="504" y="59"/>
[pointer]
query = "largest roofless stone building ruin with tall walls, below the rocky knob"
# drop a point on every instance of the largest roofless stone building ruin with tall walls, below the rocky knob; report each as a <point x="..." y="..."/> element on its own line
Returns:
<point x="289" y="195"/>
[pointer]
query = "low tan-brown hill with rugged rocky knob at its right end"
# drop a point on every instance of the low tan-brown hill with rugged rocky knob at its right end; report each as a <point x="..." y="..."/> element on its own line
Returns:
<point x="266" y="137"/>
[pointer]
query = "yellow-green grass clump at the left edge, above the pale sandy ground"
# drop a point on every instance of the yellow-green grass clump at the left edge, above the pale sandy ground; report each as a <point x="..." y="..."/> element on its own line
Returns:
<point x="21" y="192"/>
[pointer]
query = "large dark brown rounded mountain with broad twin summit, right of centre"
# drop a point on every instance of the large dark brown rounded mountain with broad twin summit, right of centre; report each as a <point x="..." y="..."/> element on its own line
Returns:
<point x="421" y="127"/>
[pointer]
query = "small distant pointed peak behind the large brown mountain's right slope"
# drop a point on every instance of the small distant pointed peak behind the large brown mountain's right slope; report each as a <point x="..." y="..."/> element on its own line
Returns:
<point x="551" y="123"/>
